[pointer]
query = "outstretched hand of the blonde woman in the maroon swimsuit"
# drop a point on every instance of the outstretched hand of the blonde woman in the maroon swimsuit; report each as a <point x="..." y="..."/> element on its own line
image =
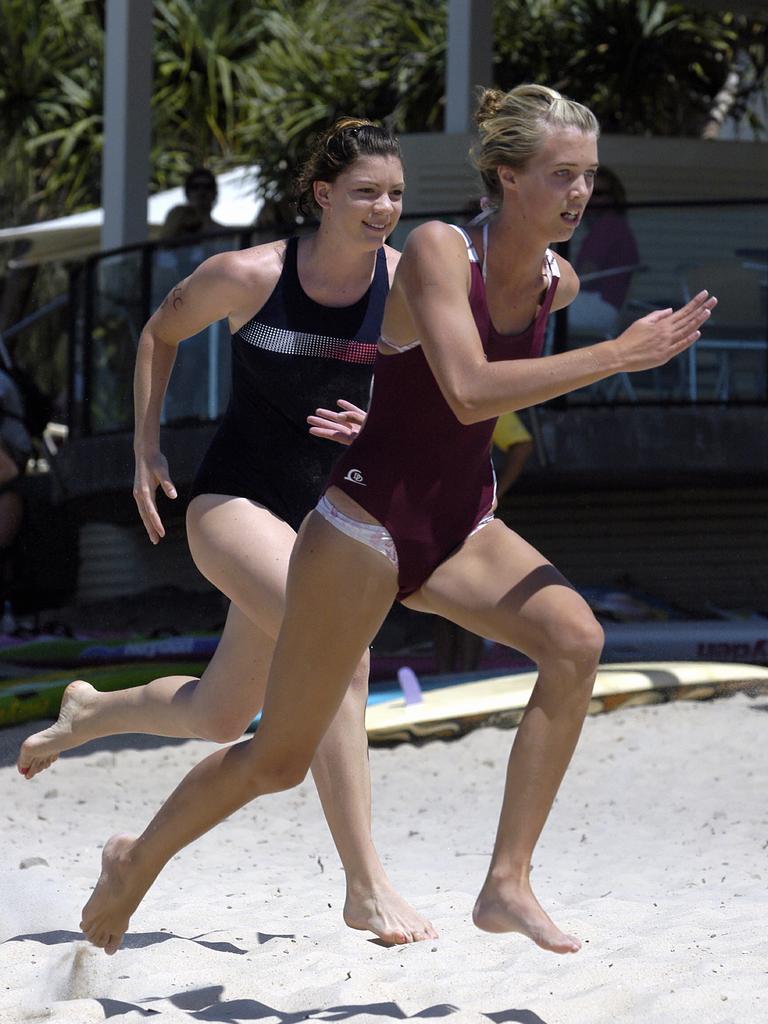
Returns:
<point x="664" y="334"/>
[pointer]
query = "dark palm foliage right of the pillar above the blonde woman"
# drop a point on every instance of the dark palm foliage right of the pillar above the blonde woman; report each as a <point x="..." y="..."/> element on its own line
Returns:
<point x="646" y="67"/>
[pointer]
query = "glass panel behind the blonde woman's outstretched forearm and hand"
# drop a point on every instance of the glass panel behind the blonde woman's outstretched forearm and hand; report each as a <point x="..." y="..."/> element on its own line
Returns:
<point x="653" y="258"/>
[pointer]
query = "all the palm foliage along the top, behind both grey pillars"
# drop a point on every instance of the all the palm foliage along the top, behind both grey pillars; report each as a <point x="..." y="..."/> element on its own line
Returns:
<point x="247" y="81"/>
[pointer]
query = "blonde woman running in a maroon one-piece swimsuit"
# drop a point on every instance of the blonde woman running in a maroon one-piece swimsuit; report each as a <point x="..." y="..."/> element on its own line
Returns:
<point x="409" y="511"/>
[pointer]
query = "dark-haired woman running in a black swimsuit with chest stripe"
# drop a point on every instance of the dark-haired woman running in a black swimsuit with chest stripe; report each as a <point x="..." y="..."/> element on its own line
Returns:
<point x="306" y="317"/>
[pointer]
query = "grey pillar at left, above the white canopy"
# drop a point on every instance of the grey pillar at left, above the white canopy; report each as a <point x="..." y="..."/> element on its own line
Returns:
<point x="125" y="165"/>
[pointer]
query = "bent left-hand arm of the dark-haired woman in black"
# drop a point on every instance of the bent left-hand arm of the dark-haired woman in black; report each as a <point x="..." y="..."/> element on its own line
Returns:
<point x="214" y="292"/>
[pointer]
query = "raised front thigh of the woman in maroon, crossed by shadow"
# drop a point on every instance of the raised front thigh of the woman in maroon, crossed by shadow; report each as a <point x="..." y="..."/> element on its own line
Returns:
<point x="499" y="586"/>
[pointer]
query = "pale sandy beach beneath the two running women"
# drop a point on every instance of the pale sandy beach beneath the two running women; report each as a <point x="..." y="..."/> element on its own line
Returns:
<point x="656" y="856"/>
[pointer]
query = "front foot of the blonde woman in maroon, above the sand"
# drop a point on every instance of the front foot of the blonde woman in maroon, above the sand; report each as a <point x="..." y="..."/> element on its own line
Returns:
<point x="508" y="908"/>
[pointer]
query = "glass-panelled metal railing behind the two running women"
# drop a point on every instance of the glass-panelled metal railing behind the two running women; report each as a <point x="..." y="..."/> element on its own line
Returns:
<point x="679" y="247"/>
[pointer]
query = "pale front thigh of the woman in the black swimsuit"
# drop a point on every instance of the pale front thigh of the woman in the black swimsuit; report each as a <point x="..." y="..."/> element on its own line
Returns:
<point x="244" y="550"/>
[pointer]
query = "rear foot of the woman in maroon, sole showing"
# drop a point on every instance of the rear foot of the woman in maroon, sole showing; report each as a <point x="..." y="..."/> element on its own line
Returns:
<point x="119" y="891"/>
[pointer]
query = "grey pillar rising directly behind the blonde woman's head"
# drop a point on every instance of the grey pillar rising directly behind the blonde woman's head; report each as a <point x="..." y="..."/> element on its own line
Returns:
<point x="471" y="51"/>
